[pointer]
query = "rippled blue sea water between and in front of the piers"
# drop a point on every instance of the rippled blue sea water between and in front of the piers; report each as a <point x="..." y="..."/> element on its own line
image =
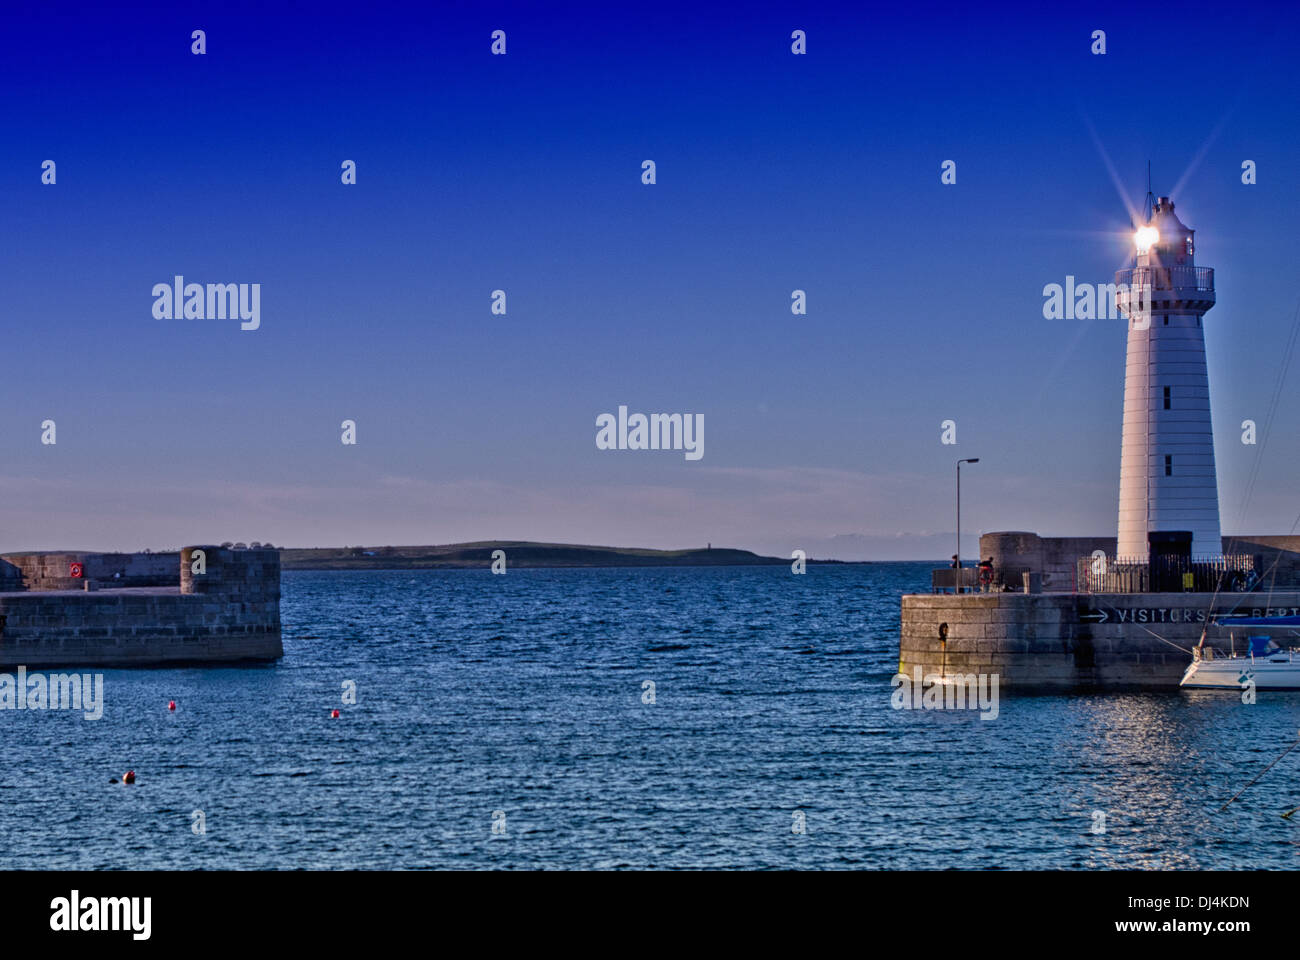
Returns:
<point x="523" y="695"/>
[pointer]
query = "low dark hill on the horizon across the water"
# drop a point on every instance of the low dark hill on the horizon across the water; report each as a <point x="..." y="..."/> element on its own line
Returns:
<point x="519" y="553"/>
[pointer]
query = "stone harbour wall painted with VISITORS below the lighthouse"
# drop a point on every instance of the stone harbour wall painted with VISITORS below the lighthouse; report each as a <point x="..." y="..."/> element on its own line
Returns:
<point x="1067" y="642"/>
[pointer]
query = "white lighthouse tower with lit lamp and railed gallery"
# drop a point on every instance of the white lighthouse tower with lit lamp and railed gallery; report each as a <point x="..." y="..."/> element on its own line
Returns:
<point x="1168" y="486"/>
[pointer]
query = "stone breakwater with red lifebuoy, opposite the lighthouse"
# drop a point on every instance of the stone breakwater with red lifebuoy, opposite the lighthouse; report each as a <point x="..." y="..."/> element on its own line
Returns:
<point x="203" y="606"/>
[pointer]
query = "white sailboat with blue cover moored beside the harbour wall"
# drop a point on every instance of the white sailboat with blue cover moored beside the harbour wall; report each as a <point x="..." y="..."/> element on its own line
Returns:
<point x="1266" y="663"/>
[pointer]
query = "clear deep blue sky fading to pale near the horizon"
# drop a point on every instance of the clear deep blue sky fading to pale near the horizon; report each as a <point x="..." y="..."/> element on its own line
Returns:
<point x="523" y="172"/>
